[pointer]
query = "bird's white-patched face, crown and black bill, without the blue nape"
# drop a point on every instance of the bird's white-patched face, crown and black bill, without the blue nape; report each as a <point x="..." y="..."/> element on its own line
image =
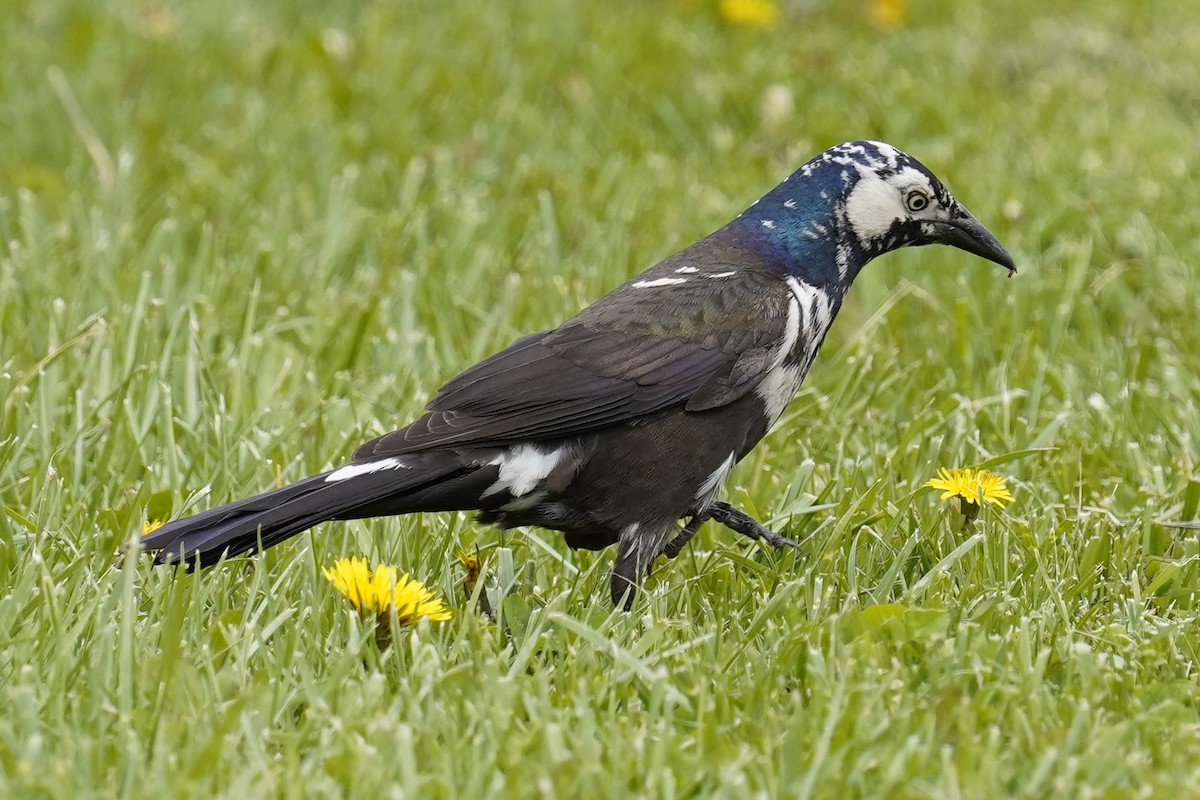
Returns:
<point x="895" y="202"/>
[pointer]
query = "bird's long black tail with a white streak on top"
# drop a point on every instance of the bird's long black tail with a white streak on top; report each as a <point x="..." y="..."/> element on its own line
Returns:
<point x="430" y="483"/>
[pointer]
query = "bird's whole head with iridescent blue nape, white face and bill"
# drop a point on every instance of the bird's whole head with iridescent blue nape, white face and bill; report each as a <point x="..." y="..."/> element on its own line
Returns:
<point x="859" y="201"/>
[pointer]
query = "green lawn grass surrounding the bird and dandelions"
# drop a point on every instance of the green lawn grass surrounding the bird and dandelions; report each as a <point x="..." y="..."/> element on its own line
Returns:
<point x="242" y="238"/>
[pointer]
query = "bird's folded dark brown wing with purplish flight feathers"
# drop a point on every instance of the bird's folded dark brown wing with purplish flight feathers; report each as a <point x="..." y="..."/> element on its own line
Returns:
<point x="700" y="345"/>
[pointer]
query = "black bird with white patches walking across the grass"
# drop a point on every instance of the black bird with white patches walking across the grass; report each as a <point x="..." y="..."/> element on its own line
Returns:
<point x="626" y="420"/>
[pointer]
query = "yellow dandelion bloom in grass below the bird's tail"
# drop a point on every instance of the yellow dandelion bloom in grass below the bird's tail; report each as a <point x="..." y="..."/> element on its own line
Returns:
<point x="383" y="591"/>
